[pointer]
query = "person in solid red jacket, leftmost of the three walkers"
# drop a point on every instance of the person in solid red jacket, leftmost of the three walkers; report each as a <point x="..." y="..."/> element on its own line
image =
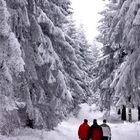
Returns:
<point x="83" y="130"/>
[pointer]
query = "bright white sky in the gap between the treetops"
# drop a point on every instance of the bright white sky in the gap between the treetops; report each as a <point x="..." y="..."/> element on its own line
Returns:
<point x="86" y="13"/>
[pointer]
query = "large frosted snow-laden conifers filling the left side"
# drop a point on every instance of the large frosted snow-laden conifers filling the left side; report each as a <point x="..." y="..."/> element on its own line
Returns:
<point x="40" y="64"/>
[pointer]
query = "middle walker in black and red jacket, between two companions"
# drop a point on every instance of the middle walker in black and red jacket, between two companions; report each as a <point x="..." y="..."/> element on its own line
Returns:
<point x="95" y="131"/>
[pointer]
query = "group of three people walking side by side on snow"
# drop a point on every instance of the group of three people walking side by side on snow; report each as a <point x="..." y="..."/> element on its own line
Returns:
<point x="95" y="132"/>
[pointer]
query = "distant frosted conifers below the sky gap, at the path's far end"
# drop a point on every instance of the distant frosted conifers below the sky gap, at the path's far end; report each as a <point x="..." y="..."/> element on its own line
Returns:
<point x="87" y="54"/>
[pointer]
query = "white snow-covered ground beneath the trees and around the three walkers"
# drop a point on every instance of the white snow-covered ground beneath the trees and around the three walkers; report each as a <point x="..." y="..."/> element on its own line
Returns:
<point x="67" y="130"/>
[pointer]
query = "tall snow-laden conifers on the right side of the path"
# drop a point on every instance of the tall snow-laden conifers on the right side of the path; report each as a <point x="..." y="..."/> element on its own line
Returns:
<point x="123" y="39"/>
